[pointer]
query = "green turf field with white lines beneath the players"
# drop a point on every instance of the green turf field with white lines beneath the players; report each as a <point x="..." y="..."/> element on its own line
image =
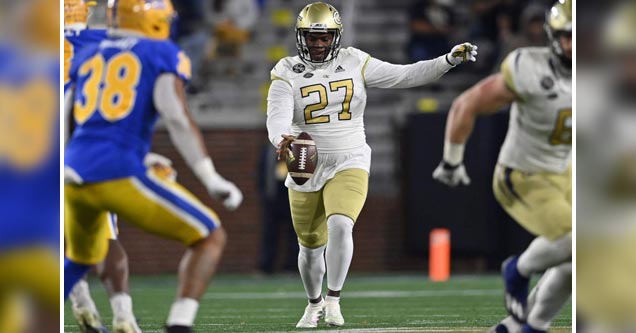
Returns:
<point x="370" y="303"/>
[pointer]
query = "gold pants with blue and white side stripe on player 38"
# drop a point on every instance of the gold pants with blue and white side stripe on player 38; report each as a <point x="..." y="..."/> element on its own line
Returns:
<point x="158" y="206"/>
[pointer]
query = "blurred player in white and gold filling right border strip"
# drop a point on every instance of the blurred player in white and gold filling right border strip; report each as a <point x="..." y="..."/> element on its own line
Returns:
<point x="606" y="186"/>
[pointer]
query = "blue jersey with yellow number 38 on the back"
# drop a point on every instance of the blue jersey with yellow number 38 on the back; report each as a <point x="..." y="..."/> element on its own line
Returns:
<point x="113" y="106"/>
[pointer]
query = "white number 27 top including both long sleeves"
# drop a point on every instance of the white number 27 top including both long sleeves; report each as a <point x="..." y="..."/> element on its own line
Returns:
<point x="328" y="102"/>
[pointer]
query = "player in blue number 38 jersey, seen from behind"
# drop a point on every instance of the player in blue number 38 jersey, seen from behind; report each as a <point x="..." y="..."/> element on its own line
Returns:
<point x="118" y="89"/>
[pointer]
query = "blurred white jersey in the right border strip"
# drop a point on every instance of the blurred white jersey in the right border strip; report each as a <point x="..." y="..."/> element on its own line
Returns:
<point x="606" y="156"/>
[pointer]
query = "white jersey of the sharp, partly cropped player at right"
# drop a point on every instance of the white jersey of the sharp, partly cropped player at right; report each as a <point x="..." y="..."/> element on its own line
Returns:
<point x="539" y="137"/>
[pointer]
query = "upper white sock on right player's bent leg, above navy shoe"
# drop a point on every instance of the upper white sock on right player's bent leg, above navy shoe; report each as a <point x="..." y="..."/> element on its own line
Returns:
<point x="543" y="254"/>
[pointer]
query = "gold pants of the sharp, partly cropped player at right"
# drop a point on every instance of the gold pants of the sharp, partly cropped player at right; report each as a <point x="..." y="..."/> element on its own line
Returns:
<point x="539" y="202"/>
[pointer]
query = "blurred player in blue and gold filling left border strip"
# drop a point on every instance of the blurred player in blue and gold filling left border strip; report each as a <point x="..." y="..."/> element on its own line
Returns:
<point x="29" y="166"/>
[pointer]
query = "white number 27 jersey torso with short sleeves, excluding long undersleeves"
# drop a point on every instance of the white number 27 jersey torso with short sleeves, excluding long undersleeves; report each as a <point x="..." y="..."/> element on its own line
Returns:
<point x="329" y="101"/>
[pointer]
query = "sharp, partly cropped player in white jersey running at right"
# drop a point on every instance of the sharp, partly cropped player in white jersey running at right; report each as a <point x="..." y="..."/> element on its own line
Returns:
<point x="532" y="180"/>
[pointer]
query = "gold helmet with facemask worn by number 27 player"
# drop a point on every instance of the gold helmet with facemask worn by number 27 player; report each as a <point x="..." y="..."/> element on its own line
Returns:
<point x="318" y="17"/>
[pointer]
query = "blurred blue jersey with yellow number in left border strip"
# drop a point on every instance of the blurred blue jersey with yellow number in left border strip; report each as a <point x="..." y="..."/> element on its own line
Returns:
<point x="29" y="148"/>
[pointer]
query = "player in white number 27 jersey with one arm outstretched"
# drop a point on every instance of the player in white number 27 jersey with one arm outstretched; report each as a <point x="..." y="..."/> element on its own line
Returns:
<point x="322" y="91"/>
